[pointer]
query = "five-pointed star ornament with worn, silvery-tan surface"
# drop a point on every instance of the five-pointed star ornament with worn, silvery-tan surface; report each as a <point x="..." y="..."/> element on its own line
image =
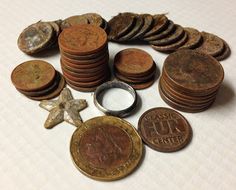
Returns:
<point x="65" y="108"/>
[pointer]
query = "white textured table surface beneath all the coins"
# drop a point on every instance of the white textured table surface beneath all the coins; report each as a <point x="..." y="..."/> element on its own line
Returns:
<point x="32" y="157"/>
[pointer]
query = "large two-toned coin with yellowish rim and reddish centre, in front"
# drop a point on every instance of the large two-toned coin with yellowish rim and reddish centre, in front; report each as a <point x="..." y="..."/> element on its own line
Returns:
<point x="106" y="148"/>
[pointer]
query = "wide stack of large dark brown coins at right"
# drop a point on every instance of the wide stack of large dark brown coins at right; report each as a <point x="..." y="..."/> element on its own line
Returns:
<point x="190" y="80"/>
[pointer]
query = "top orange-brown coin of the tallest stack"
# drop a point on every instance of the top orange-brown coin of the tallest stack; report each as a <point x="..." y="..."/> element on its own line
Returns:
<point x="82" y="39"/>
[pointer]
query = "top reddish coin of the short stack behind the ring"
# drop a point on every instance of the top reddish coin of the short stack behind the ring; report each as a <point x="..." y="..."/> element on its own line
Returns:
<point x="133" y="61"/>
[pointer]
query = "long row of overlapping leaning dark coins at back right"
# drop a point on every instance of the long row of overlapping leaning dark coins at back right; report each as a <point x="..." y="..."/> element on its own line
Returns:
<point x="164" y="35"/>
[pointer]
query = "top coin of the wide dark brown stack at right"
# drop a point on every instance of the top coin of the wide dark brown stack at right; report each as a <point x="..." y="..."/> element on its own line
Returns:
<point x="193" y="71"/>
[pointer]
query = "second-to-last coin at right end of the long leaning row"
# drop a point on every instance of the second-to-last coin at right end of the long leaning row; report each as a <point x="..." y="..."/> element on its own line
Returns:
<point x="212" y="44"/>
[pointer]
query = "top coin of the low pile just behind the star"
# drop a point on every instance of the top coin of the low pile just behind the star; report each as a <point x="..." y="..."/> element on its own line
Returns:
<point x="33" y="75"/>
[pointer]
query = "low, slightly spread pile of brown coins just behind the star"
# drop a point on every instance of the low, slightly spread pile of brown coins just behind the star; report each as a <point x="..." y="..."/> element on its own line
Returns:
<point x="37" y="80"/>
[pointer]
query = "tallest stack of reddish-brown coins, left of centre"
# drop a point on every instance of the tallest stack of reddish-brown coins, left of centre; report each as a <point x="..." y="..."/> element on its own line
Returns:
<point x="84" y="56"/>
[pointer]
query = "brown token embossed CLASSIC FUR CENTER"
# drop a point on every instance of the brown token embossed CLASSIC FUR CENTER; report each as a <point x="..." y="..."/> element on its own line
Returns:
<point x="164" y="129"/>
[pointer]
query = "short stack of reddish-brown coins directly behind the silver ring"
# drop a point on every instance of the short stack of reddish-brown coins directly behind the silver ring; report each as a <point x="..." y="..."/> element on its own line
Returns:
<point x="135" y="67"/>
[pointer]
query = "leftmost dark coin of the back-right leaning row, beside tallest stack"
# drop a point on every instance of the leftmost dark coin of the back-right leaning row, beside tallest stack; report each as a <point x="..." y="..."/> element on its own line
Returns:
<point x="120" y="25"/>
